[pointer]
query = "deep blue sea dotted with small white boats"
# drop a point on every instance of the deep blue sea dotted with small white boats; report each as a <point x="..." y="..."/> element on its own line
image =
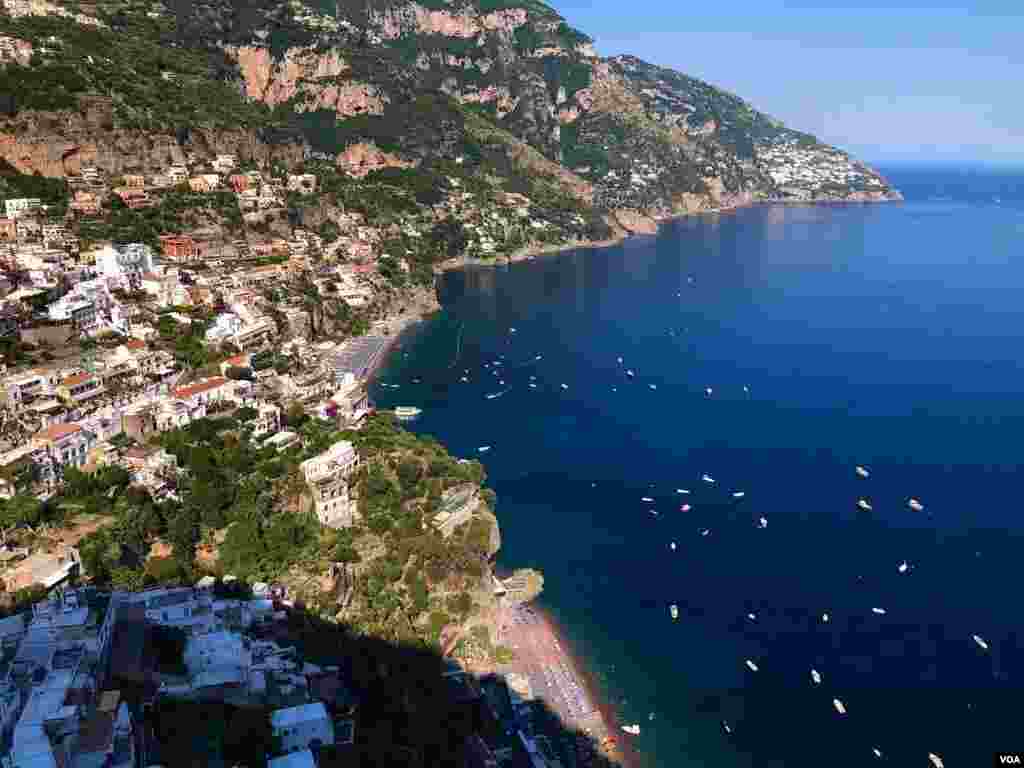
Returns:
<point x="775" y="350"/>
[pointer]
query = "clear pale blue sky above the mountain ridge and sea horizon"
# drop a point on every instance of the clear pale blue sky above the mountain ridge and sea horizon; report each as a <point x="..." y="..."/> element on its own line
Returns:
<point x="893" y="82"/>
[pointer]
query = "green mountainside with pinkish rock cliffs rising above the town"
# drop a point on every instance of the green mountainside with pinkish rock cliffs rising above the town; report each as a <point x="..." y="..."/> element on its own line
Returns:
<point x="422" y="111"/>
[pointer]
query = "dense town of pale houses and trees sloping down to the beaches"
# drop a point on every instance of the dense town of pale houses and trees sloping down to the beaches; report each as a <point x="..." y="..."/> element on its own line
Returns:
<point x="198" y="495"/>
